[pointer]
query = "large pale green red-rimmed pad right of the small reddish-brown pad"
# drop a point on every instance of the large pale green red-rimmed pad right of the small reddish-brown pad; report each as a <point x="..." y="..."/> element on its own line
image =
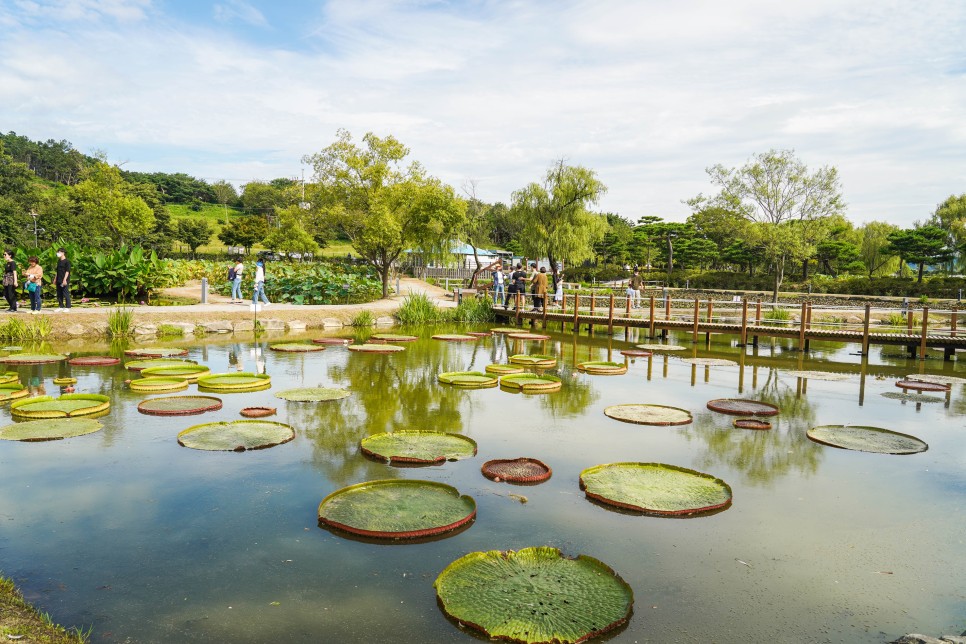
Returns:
<point x="655" y="488"/>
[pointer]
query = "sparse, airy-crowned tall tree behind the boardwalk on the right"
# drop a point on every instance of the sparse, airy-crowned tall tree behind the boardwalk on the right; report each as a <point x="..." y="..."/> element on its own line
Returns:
<point x="775" y="191"/>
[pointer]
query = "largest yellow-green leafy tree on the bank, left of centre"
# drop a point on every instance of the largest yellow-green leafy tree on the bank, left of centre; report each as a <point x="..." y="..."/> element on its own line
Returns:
<point x="381" y="205"/>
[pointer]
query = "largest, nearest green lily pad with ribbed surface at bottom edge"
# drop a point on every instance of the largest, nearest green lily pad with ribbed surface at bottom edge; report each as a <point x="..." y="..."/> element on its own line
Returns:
<point x="534" y="595"/>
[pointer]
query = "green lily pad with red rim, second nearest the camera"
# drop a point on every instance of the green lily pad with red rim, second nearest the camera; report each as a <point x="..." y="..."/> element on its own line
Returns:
<point x="397" y="509"/>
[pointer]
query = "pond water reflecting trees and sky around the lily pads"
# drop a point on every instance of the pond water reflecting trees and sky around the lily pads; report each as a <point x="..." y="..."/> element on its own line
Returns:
<point x="149" y="541"/>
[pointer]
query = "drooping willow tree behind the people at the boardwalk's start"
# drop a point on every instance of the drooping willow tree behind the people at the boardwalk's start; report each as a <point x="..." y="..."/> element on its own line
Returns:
<point x="555" y="219"/>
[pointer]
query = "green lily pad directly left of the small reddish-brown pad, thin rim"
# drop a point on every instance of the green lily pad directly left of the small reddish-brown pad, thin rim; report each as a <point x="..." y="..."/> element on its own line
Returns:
<point x="412" y="446"/>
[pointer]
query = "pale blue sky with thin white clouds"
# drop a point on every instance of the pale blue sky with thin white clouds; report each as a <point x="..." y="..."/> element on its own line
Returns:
<point x="647" y="93"/>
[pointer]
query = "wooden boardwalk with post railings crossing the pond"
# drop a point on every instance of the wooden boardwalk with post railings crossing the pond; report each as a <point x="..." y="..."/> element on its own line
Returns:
<point x="748" y="324"/>
